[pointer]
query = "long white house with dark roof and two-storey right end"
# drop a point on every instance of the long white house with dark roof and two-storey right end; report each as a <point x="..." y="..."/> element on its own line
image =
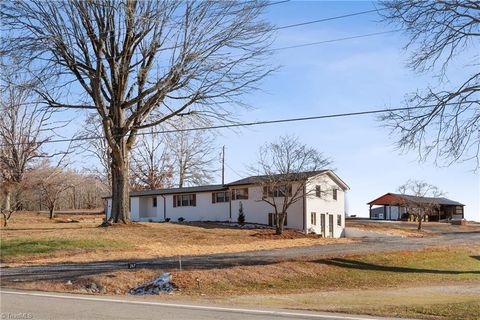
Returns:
<point x="320" y="210"/>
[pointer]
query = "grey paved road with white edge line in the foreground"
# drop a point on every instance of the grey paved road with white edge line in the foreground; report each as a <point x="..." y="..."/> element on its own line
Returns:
<point x="36" y="306"/>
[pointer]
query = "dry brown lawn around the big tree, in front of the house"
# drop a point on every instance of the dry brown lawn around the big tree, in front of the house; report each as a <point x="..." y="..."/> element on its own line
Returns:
<point x="144" y="240"/>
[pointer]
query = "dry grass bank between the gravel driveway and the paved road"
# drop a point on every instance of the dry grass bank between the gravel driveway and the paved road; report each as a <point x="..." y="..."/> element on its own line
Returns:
<point x="409" y="269"/>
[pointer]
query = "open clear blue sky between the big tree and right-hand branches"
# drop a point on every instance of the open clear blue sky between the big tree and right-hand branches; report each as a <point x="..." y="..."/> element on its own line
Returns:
<point x="352" y="75"/>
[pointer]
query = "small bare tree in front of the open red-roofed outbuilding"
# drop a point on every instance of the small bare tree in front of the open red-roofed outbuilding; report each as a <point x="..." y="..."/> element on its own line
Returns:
<point x="420" y="199"/>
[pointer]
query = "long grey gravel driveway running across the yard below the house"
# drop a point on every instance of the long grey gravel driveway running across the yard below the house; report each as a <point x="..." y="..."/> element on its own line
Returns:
<point x="261" y="257"/>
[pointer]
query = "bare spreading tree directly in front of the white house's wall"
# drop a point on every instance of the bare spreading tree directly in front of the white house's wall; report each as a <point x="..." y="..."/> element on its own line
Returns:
<point x="282" y="169"/>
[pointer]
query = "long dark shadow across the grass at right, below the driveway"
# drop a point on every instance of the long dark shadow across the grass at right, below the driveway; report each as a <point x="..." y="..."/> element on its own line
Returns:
<point x="360" y="265"/>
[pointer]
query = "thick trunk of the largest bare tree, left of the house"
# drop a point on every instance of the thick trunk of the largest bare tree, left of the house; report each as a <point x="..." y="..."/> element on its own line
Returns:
<point x="120" y="197"/>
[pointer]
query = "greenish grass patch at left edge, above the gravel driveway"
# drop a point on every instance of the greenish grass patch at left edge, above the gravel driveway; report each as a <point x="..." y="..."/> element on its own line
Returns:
<point x="26" y="247"/>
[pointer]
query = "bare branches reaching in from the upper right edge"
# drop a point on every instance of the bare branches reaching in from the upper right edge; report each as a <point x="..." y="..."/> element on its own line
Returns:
<point x="441" y="32"/>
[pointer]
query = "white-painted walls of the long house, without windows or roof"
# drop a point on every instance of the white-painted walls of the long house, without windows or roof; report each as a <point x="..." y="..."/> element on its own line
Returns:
<point x="255" y="210"/>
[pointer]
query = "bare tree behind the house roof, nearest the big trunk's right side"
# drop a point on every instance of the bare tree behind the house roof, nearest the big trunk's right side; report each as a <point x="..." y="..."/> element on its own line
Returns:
<point x="151" y="165"/>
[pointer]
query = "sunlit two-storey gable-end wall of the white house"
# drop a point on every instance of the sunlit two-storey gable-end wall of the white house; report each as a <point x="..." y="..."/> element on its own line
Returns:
<point x="325" y="204"/>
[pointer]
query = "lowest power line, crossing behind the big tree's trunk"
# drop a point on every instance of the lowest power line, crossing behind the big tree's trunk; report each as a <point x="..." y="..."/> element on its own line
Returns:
<point x="247" y="124"/>
